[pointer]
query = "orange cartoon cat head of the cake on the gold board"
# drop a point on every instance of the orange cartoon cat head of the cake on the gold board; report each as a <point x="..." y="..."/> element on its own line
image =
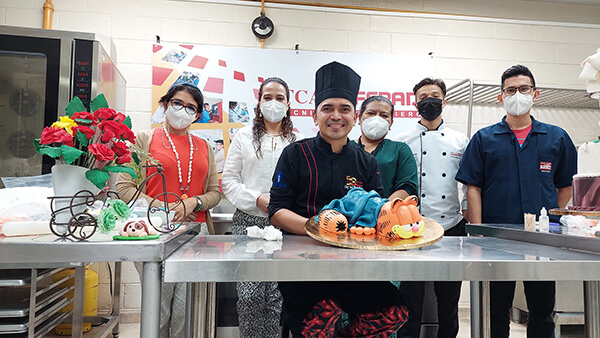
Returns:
<point x="400" y="219"/>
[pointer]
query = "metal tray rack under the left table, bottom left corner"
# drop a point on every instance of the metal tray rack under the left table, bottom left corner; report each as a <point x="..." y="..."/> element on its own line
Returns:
<point x="31" y="301"/>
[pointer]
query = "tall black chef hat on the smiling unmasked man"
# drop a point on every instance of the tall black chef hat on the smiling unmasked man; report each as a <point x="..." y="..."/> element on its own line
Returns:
<point x="336" y="80"/>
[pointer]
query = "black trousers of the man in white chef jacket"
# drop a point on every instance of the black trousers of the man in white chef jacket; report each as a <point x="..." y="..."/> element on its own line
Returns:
<point x="447" y="294"/>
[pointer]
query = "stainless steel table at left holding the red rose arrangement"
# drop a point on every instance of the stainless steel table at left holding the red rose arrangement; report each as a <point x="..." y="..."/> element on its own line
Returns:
<point x="48" y="251"/>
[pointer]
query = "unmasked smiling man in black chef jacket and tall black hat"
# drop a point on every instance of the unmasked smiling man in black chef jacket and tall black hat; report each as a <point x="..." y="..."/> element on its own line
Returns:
<point x="310" y="173"/>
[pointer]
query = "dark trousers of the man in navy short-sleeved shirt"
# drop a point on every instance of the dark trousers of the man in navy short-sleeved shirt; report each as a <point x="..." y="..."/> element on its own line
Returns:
<point x="540" y="296"/>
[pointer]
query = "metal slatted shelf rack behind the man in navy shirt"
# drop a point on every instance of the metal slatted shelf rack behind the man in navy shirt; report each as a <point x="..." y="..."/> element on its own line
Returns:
<point x="471" y="93"/>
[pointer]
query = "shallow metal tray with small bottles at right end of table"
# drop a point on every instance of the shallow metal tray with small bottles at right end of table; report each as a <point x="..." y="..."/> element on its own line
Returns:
<point x="558" y="236"/>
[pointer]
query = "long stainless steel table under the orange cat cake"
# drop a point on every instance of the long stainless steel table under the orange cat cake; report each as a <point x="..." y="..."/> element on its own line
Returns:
<point x="231" y="258"/>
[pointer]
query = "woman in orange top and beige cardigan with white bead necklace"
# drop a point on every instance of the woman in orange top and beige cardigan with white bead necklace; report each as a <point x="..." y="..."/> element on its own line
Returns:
<point x="189" y="167"/>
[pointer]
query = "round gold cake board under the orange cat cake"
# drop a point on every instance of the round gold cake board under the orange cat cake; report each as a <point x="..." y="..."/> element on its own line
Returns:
<point x="433" y="233"/>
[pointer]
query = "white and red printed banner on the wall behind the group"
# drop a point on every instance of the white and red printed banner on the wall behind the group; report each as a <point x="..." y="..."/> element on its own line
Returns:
<point x="229" y="78"/>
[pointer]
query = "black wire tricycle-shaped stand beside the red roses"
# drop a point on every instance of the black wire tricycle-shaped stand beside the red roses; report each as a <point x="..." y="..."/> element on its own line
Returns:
<point x="82" y="225"/>
